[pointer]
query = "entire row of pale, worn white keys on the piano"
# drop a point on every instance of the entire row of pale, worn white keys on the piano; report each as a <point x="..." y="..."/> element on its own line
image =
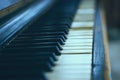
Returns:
<point x="76" y="59"/>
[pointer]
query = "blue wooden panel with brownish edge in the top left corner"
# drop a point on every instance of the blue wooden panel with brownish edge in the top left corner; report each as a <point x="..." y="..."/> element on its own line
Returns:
<point x="9" y="6"/>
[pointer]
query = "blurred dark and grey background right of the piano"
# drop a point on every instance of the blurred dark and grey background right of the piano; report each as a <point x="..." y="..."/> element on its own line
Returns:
<point x="112" y="8"/>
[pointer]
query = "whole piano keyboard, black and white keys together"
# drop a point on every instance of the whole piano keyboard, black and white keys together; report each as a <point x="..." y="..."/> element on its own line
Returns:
<point x="35" y="53"/>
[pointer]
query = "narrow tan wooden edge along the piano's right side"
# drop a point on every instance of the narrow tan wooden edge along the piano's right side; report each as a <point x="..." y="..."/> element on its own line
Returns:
<point x="107" y="68"/>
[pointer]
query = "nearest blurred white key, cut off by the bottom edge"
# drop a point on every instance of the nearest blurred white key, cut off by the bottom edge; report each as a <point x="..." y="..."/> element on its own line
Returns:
<point x="69" y="76"/>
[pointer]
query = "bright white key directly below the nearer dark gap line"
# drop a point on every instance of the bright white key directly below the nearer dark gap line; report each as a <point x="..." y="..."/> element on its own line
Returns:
<point x="76" y="59"/>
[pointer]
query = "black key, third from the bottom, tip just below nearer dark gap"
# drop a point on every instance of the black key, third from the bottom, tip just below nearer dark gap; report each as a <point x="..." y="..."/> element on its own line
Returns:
<point x="20" y="59"/>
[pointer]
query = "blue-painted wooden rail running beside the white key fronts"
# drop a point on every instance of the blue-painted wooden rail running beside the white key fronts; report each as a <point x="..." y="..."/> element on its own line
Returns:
<point x="98" y="49"/>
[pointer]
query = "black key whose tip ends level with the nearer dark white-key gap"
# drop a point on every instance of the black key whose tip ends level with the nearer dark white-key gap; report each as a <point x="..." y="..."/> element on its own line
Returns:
<point x="53" y="49"/>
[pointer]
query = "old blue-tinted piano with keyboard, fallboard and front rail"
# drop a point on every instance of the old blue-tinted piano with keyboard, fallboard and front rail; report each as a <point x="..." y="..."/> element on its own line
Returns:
<point x="54" y="40"/>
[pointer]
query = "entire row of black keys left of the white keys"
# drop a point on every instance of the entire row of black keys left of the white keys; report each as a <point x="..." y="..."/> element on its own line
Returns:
<point x="34" y="50"/>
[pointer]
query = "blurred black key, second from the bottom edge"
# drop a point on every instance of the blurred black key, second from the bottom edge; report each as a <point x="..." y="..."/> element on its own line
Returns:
<point x="44" y="64"/>
